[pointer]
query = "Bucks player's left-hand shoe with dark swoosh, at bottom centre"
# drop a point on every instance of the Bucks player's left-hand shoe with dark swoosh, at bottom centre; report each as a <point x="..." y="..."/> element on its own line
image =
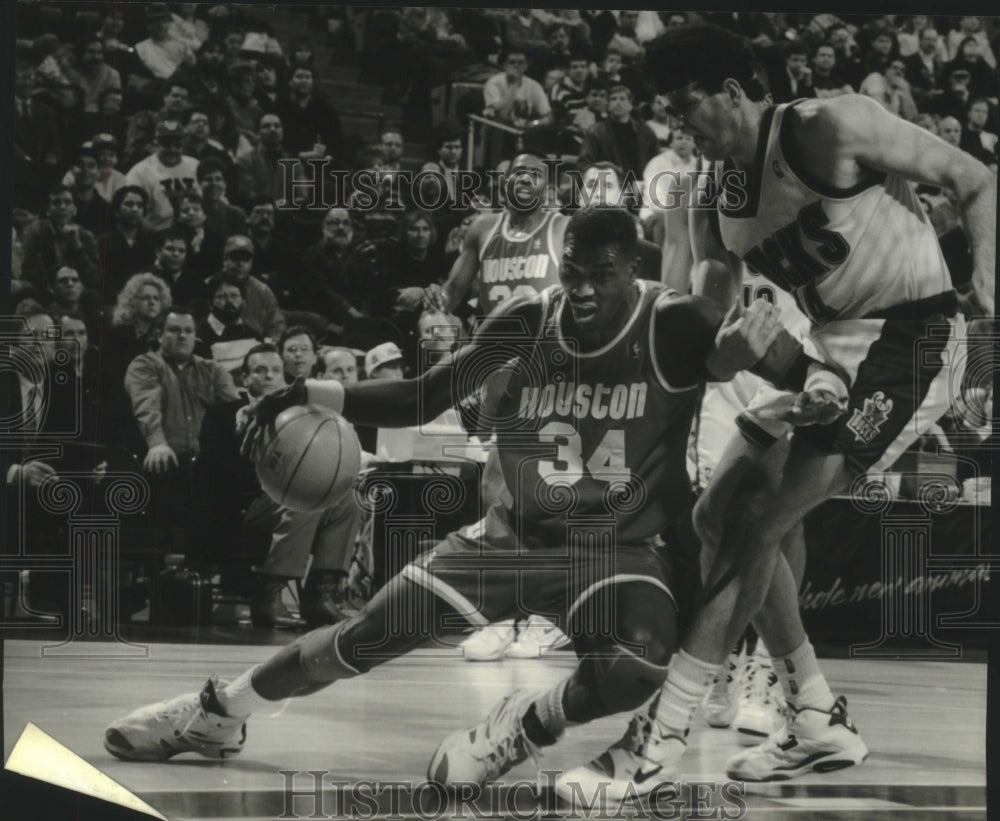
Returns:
<point x="646" y="759"/>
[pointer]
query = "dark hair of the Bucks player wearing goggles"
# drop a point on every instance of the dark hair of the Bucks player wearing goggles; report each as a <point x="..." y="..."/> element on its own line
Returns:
<point x="704" y="54"/>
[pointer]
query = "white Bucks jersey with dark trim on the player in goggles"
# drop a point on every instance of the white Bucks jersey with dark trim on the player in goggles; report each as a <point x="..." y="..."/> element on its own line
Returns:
<point x="844" y="254"/>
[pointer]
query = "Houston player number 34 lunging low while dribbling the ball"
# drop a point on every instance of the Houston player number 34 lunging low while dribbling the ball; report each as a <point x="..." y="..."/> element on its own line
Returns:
<point x="604" y="377"/>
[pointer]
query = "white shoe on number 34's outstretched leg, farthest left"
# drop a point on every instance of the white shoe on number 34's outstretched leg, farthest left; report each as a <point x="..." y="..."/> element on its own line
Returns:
<point x="194" y="722"/>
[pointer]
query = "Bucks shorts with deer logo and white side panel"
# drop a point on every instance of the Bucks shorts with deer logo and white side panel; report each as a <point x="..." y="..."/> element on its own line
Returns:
<point x="904" y="374"/>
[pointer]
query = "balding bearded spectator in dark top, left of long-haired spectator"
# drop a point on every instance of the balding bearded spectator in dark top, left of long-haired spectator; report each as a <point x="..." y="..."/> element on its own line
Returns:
<point x="336" y="279"/>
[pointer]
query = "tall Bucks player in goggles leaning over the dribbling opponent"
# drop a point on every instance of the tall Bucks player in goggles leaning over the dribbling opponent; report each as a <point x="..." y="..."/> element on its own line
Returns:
<point x="826" y="211"/>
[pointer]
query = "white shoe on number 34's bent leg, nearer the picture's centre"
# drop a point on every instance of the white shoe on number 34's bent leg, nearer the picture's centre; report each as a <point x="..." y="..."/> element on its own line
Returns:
<point x="483" y="753"/>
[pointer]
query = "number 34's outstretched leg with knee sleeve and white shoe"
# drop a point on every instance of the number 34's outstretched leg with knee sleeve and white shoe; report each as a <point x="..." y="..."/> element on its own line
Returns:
<point x="213" y="722"/>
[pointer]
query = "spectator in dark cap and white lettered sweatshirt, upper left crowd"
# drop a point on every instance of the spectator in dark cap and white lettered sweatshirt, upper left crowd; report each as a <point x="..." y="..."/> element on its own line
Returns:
<point x="164" y="175"/>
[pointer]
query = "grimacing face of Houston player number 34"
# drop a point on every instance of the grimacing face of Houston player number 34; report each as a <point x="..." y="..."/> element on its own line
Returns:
<point x="597" y="282"/>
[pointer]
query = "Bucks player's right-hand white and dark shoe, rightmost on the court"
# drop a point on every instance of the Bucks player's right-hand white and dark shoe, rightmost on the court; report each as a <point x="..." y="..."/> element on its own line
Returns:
<point x="811" y="741"/>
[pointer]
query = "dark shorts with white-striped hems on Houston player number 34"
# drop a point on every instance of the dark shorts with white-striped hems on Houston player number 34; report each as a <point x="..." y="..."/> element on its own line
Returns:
<point x="487" y="574"/>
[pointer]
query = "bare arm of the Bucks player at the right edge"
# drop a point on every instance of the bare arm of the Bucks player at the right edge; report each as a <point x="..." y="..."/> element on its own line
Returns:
<point x="853" y="134"/>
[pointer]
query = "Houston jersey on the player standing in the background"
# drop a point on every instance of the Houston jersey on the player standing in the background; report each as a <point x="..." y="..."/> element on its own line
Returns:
<point x="516" y="264"/>
